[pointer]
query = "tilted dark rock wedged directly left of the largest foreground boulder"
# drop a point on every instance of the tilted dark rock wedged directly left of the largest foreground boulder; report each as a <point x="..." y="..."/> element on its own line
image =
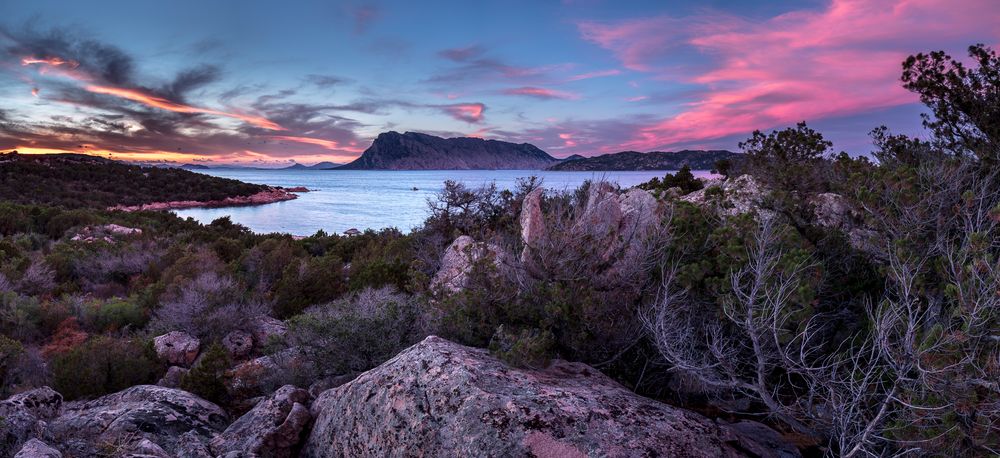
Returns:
<point x="271" y="429"/>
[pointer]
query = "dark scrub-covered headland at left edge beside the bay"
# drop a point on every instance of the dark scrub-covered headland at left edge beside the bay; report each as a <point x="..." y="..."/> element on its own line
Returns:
<point x="77" y="180"/>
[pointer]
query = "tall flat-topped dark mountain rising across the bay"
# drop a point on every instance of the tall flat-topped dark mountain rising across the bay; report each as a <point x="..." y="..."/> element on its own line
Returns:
<point x="416" y="151"/>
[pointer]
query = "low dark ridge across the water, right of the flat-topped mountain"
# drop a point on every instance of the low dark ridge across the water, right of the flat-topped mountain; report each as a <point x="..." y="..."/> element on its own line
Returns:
<point x="656" y="160"/>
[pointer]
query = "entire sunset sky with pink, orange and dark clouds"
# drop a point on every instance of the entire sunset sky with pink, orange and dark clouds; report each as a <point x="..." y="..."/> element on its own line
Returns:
<point x="269" y="83"/>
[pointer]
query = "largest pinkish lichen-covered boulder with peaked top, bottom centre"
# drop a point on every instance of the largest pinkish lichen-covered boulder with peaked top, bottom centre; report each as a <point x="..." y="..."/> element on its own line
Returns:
<point x="444" y="399"/>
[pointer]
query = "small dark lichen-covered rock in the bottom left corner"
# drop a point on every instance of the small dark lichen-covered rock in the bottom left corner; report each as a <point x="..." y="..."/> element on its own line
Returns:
<point x="23" y="417"/>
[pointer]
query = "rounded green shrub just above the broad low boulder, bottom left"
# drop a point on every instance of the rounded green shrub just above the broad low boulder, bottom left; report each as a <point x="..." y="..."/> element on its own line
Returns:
<point x="104" y="365"/>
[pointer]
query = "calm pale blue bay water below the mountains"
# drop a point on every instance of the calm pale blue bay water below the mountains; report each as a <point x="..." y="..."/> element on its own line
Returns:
<point x="373" y="199"/>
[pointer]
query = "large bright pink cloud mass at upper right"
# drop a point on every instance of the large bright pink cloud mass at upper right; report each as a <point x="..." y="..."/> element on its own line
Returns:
<point x="808" y="64"/>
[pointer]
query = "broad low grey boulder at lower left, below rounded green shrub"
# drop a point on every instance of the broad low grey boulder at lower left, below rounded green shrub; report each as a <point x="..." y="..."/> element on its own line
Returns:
<point x="158" y="414"/>
